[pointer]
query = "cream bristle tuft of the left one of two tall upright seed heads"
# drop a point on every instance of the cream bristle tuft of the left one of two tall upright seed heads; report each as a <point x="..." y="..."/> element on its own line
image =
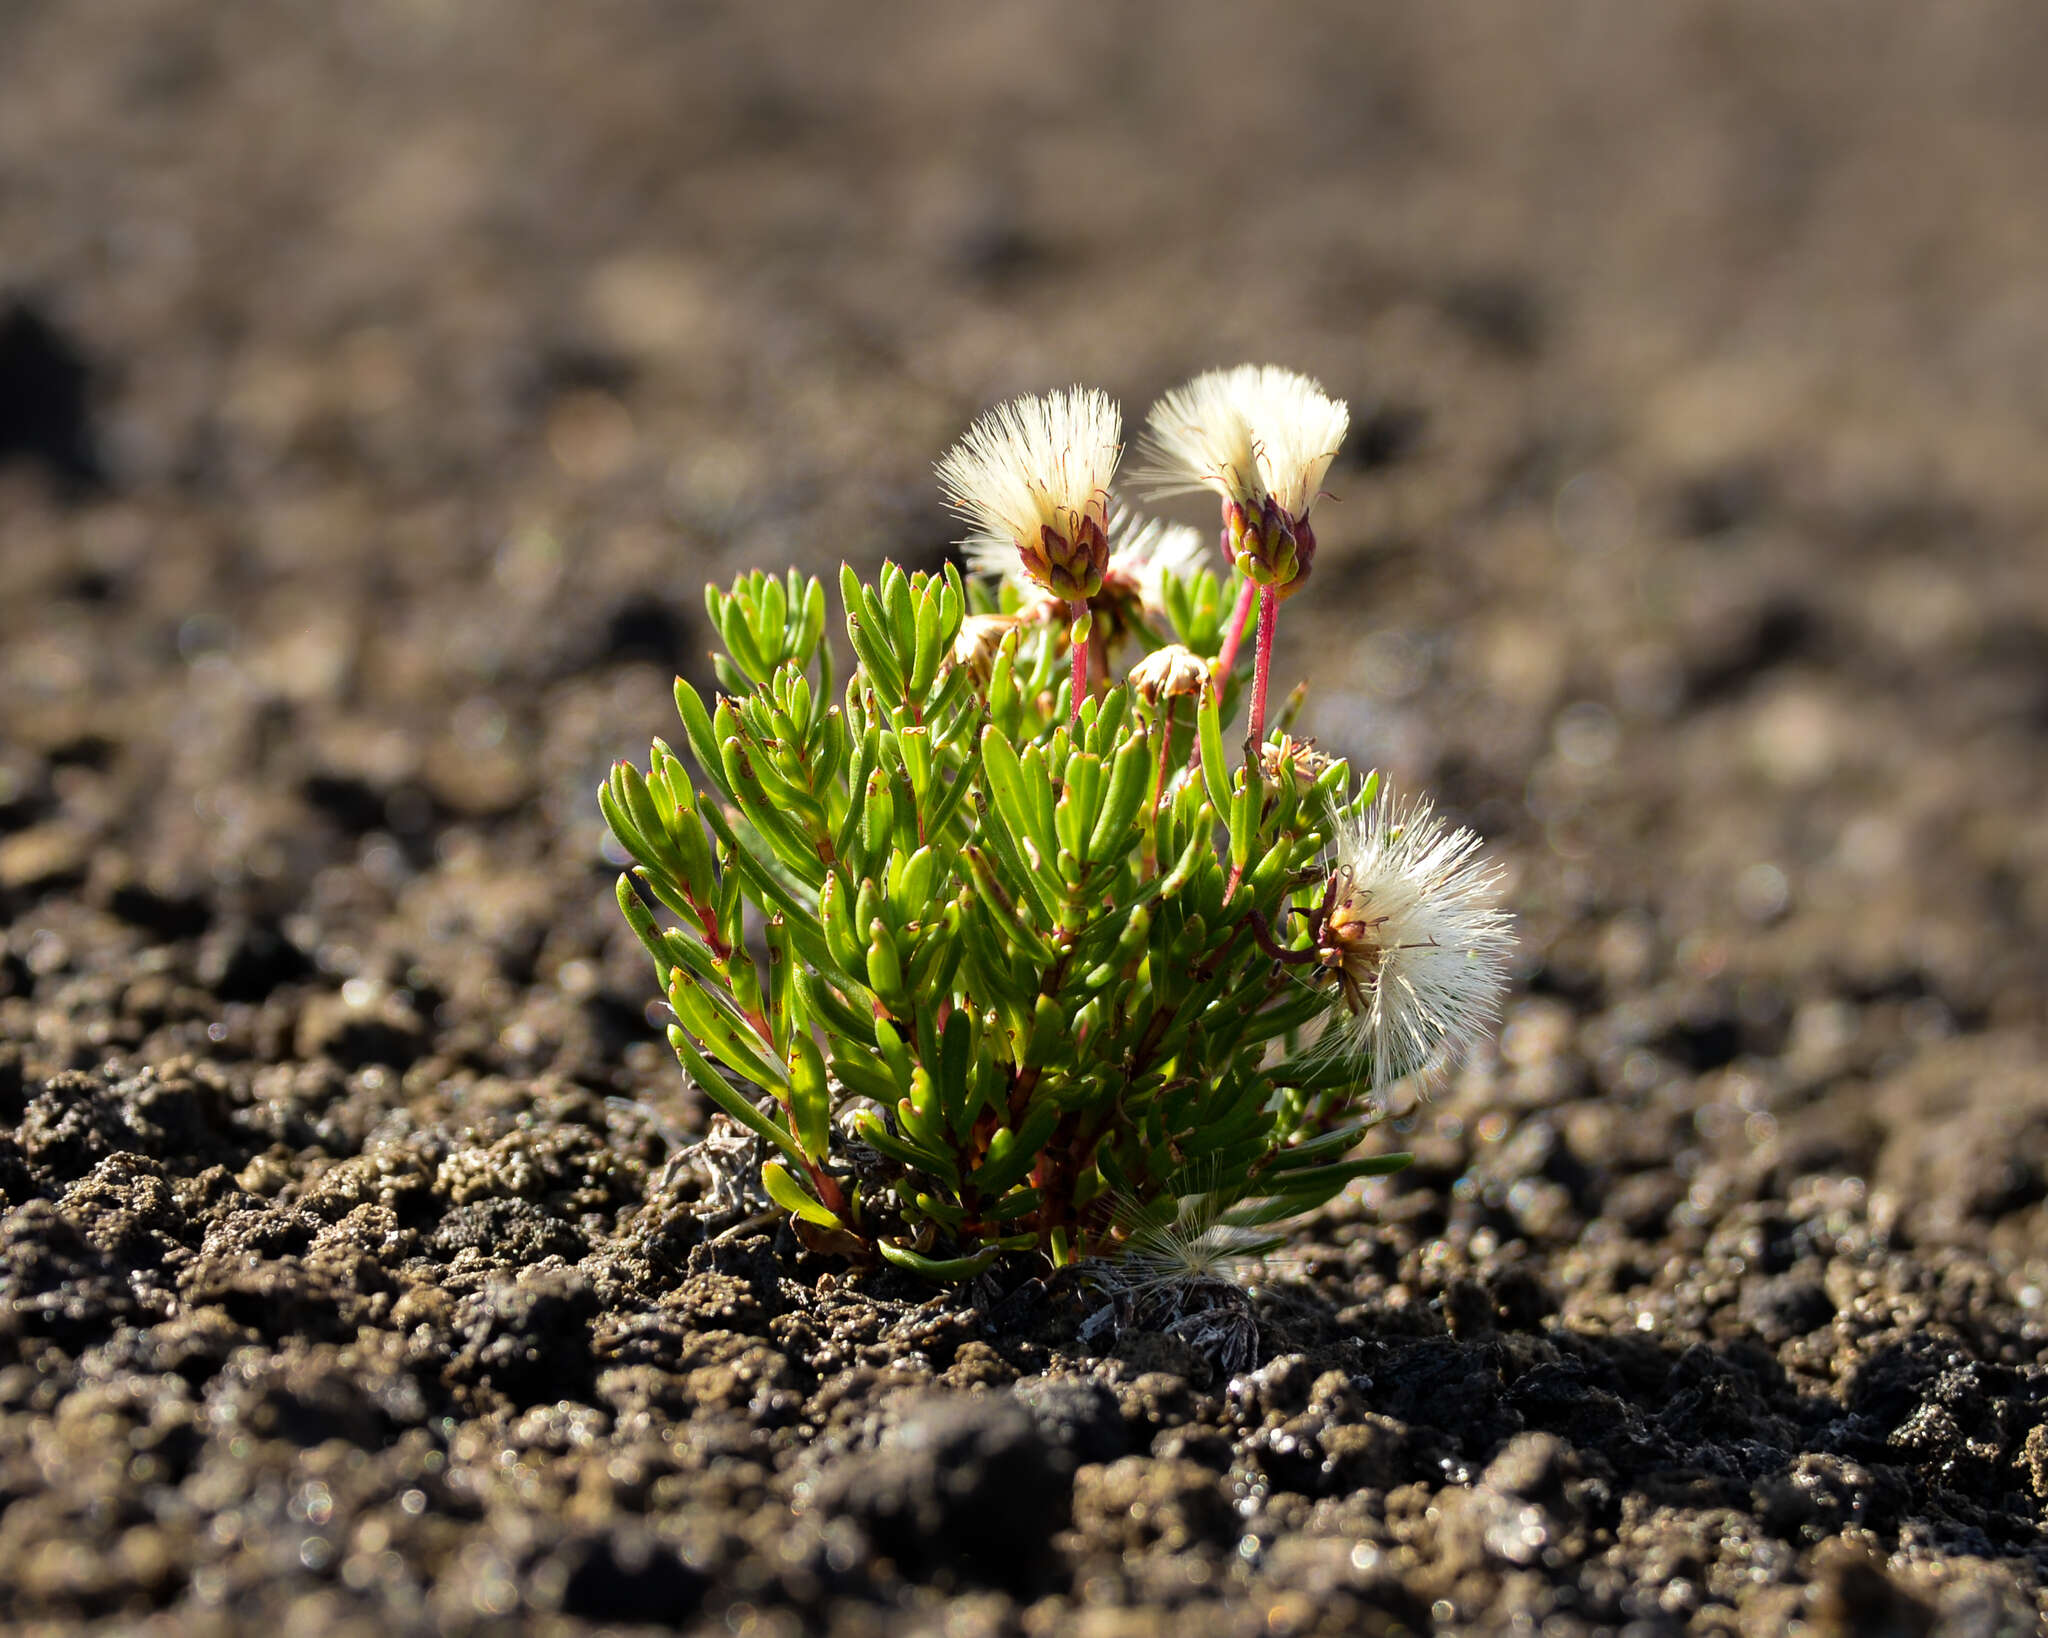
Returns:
<point x="1039" y="462"/>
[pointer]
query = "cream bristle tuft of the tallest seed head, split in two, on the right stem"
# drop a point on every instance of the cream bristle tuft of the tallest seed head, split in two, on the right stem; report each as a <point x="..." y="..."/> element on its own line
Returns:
<point x="1248" y="433"/>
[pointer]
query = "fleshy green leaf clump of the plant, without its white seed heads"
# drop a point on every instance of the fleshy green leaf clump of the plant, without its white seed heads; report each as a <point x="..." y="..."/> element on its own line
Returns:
<point x="986" y="969"/>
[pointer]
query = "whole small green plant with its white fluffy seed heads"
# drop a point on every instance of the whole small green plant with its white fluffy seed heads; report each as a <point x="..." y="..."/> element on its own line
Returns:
<point x="998" y="957"/>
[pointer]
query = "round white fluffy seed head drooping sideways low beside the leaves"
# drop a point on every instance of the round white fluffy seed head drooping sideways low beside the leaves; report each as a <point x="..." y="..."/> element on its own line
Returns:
<point x="1416" y="941"/>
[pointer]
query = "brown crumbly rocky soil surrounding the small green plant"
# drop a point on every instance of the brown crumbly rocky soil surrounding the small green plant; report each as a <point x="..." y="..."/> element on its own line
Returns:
<point x="382" y="384"/>
